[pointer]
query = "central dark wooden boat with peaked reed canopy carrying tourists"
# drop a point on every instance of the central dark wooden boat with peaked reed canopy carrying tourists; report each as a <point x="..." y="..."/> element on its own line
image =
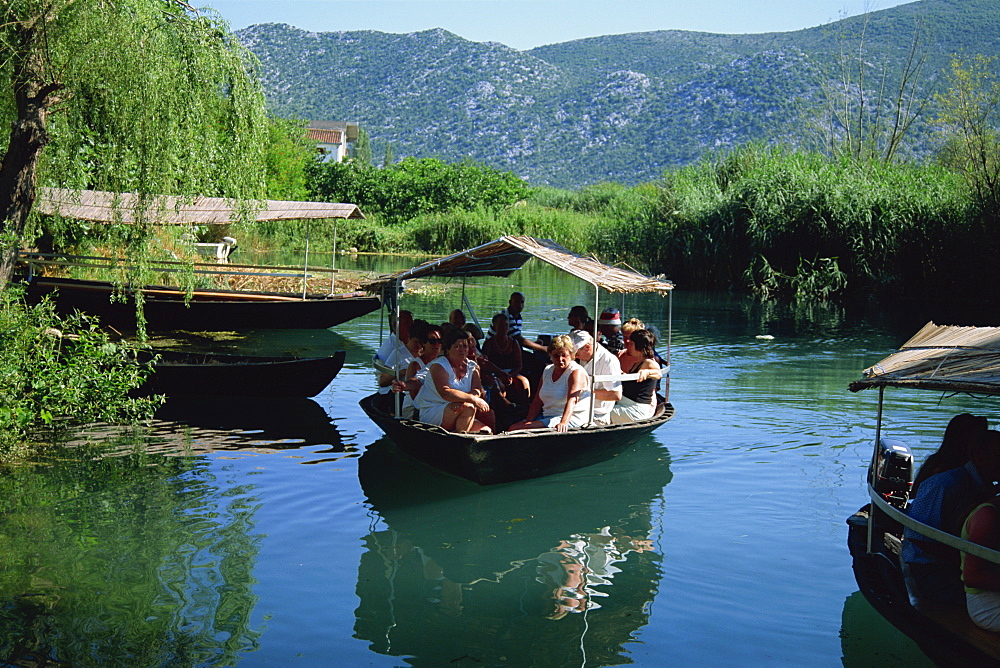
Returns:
<point x="509" y="456"/>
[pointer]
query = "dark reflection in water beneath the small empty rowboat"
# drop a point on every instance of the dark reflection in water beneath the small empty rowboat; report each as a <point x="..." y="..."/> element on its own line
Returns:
<point x="257" y="424"/>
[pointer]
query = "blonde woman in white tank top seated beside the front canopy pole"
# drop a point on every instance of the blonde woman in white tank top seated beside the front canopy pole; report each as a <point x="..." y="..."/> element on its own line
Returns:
<point x="563" y="397"/>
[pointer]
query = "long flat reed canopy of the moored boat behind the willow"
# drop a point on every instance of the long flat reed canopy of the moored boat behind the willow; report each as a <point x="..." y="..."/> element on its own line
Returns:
<point x="108" y="207"/>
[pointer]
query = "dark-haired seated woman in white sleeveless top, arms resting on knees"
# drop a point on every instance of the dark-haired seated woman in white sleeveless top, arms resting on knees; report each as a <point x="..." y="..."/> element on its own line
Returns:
<point x="452" y="394"/>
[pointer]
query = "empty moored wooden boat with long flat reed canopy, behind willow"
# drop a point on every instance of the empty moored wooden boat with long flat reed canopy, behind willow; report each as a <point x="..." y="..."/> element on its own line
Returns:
<point x="172" y="308"/>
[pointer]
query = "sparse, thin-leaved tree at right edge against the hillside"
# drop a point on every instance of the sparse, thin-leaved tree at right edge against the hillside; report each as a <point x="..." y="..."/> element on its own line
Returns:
<point x="970" y="116"/>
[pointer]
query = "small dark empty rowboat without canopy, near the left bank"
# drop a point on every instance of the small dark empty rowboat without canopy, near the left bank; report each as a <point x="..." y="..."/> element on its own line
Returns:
<point x="193" y="373"/>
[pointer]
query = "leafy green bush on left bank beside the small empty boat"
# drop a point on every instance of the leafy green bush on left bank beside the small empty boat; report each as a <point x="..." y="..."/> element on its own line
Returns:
<point x="57" y="373"/>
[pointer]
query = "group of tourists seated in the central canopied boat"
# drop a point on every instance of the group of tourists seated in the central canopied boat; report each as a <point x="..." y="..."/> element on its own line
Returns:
<point x="559" y="382"/>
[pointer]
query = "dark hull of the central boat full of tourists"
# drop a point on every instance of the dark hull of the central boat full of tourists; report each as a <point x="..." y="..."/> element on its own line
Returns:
<point x="507" y="457"/>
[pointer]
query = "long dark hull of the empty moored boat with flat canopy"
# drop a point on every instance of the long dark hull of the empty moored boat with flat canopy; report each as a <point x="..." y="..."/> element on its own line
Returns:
<point x="168" y="309"/>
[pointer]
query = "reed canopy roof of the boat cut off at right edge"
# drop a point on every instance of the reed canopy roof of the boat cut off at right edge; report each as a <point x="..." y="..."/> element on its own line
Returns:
<point x="941" y="357"/>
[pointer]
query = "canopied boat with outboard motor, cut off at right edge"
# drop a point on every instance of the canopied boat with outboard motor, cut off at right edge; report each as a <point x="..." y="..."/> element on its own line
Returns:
<point x="945" y="359"/>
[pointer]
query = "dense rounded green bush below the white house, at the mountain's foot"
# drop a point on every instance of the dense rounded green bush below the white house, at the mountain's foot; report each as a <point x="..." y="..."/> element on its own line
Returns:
<point x="412" y="187"/>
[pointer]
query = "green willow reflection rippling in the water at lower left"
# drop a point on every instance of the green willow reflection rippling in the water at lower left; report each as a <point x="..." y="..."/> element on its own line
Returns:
<point x="128" y="560"/>
